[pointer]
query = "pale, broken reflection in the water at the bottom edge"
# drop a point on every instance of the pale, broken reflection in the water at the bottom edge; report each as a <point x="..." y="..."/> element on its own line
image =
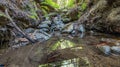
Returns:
<point x="75" y="62"/>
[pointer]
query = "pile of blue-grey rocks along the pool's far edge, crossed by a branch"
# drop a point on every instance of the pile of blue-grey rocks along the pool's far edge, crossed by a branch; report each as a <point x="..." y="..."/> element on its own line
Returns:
<point x="48" y="28"/>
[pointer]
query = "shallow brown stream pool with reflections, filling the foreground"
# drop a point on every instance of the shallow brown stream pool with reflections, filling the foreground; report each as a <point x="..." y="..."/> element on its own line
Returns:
<point x="94" y="50"/>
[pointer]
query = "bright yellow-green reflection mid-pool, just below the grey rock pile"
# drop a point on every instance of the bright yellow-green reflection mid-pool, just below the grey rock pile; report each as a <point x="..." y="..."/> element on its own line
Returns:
<point x="62" y="44"/>
